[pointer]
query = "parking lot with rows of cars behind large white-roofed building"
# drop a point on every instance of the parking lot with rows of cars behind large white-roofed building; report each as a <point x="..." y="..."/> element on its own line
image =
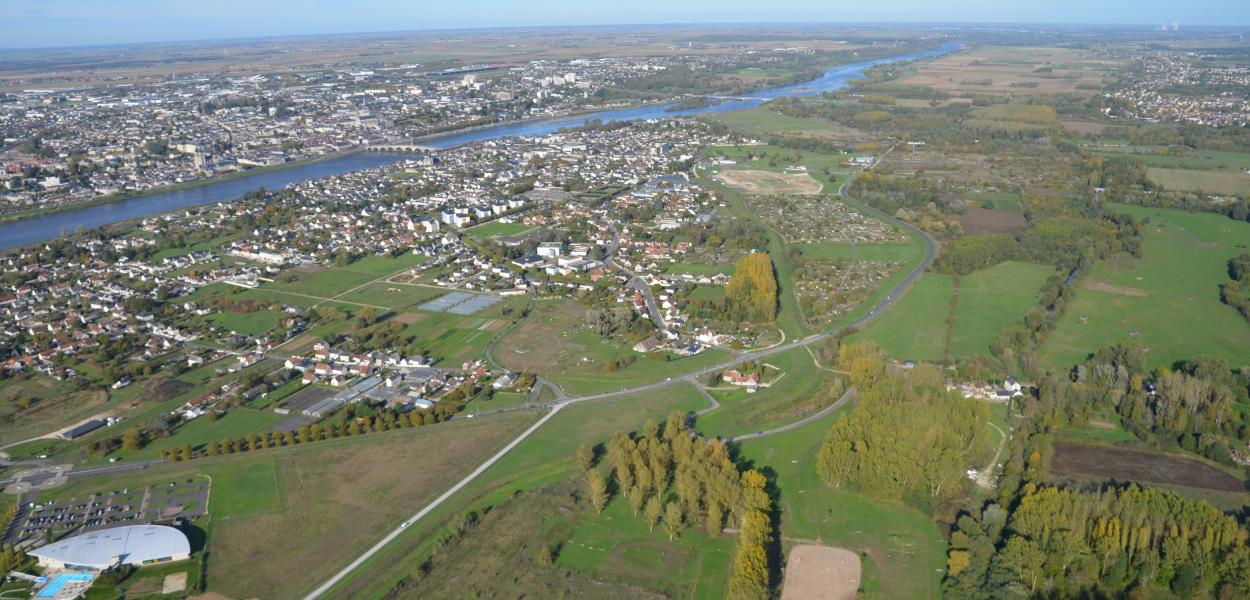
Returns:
<point x="183" y="499"/>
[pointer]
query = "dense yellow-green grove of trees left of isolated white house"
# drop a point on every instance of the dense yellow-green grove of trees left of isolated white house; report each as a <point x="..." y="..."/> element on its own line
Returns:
<point x="908" y="437"/>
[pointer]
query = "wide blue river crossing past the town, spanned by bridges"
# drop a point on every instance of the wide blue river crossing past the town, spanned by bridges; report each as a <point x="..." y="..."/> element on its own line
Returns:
<point x="48" y="227"/>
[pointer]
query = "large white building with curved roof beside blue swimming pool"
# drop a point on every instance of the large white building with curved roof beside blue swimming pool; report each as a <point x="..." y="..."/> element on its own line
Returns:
<point x="108" y="548"/>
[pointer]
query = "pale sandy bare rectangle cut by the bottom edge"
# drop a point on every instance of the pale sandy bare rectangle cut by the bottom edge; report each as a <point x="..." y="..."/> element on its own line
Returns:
<point x="822" y="573"/>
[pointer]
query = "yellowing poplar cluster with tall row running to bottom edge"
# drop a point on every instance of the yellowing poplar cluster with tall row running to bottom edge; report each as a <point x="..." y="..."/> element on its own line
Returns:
<point x="672" y="479"/>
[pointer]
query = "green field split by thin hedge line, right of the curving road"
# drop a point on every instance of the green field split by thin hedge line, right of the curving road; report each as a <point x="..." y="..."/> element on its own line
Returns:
<point x="989" y="302"/>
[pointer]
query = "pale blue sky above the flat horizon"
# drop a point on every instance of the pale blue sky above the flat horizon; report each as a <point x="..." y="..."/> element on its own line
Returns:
<point x="77" y="23"/>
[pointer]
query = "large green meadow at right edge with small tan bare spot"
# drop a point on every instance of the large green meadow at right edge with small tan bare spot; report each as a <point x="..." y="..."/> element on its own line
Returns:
<point x="1168" y="302"/>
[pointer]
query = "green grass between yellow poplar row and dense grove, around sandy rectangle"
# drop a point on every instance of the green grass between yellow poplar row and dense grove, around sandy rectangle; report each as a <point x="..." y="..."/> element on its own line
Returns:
<point x="903" y="552"/>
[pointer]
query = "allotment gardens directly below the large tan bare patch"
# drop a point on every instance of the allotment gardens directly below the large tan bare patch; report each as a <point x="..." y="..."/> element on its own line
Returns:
<point x="821" y="221"/>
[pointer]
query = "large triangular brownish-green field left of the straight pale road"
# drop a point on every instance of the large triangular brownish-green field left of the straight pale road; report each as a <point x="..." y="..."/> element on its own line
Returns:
<point x="311" y="509"/>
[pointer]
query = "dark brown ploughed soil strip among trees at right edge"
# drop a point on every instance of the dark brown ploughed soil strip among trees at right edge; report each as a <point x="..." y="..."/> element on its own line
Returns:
<point x="1126" y="464"/>
